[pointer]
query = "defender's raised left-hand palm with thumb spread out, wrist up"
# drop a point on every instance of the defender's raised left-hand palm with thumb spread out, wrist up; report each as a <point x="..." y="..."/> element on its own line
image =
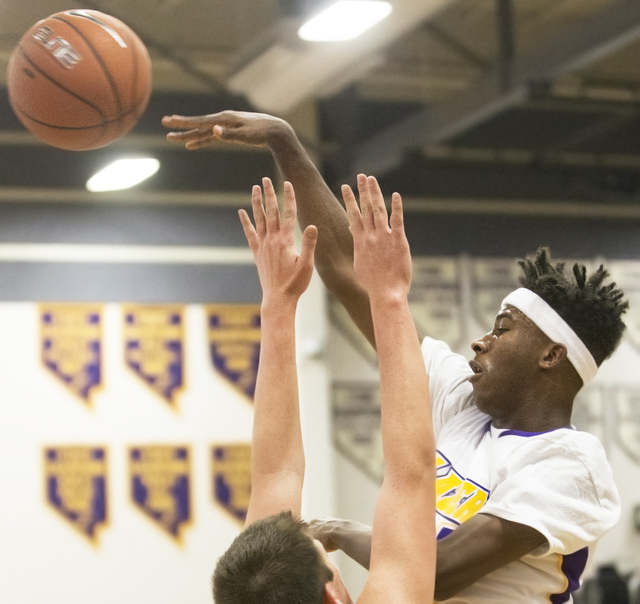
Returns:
<point x="284" y="274"/>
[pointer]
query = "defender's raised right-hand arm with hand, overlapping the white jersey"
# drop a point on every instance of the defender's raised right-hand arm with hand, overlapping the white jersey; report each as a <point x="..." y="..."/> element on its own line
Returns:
<point x="403" y="548"/>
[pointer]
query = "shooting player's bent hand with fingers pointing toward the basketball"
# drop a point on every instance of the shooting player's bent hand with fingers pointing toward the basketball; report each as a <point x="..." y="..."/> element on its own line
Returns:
<point x="257" y="129"/>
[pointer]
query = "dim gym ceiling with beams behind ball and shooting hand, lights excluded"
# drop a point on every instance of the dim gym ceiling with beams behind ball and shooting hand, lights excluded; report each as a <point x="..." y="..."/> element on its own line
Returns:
<point x="462" y="103"/>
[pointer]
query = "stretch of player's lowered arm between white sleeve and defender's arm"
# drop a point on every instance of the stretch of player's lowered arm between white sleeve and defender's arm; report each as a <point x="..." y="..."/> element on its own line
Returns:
<point x="479" y="546"/>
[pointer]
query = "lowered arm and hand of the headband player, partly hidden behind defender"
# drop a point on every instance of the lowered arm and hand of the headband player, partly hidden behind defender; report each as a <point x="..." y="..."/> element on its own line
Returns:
<point x="479" y="546"/>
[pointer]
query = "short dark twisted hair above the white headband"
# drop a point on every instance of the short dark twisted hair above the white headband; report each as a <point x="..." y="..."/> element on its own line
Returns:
<point x="591" y="309"/>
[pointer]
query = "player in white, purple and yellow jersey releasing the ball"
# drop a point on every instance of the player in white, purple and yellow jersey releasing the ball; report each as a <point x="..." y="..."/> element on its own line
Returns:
<point x="521" y="496"/>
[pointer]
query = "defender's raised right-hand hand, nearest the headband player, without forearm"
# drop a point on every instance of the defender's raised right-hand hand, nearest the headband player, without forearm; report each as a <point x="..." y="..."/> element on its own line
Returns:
<point x="382" y="261"/>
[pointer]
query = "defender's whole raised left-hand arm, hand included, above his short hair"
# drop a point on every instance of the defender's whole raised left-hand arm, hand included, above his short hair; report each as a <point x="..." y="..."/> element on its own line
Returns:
<point x="277" y="456"/>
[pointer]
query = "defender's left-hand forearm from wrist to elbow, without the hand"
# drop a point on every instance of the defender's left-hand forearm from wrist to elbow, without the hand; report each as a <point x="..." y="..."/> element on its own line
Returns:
<point x="277" y="437"/>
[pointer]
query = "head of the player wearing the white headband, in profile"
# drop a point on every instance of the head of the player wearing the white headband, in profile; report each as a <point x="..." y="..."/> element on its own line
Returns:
<point x="552" y="334"/>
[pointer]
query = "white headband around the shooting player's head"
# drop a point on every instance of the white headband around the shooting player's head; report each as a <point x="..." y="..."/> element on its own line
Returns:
<point x="554" y="326"/>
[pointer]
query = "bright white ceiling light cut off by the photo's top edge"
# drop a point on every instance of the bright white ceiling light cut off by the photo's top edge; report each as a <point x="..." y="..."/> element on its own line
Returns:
<point x="344" y="20"/>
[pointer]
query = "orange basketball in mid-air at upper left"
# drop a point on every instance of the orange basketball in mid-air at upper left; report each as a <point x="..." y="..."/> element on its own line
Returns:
<point x="79" y="79"/>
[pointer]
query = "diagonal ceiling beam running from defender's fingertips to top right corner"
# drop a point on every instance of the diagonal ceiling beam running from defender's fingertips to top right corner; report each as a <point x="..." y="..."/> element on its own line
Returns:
<point x="594" y="39"/>
